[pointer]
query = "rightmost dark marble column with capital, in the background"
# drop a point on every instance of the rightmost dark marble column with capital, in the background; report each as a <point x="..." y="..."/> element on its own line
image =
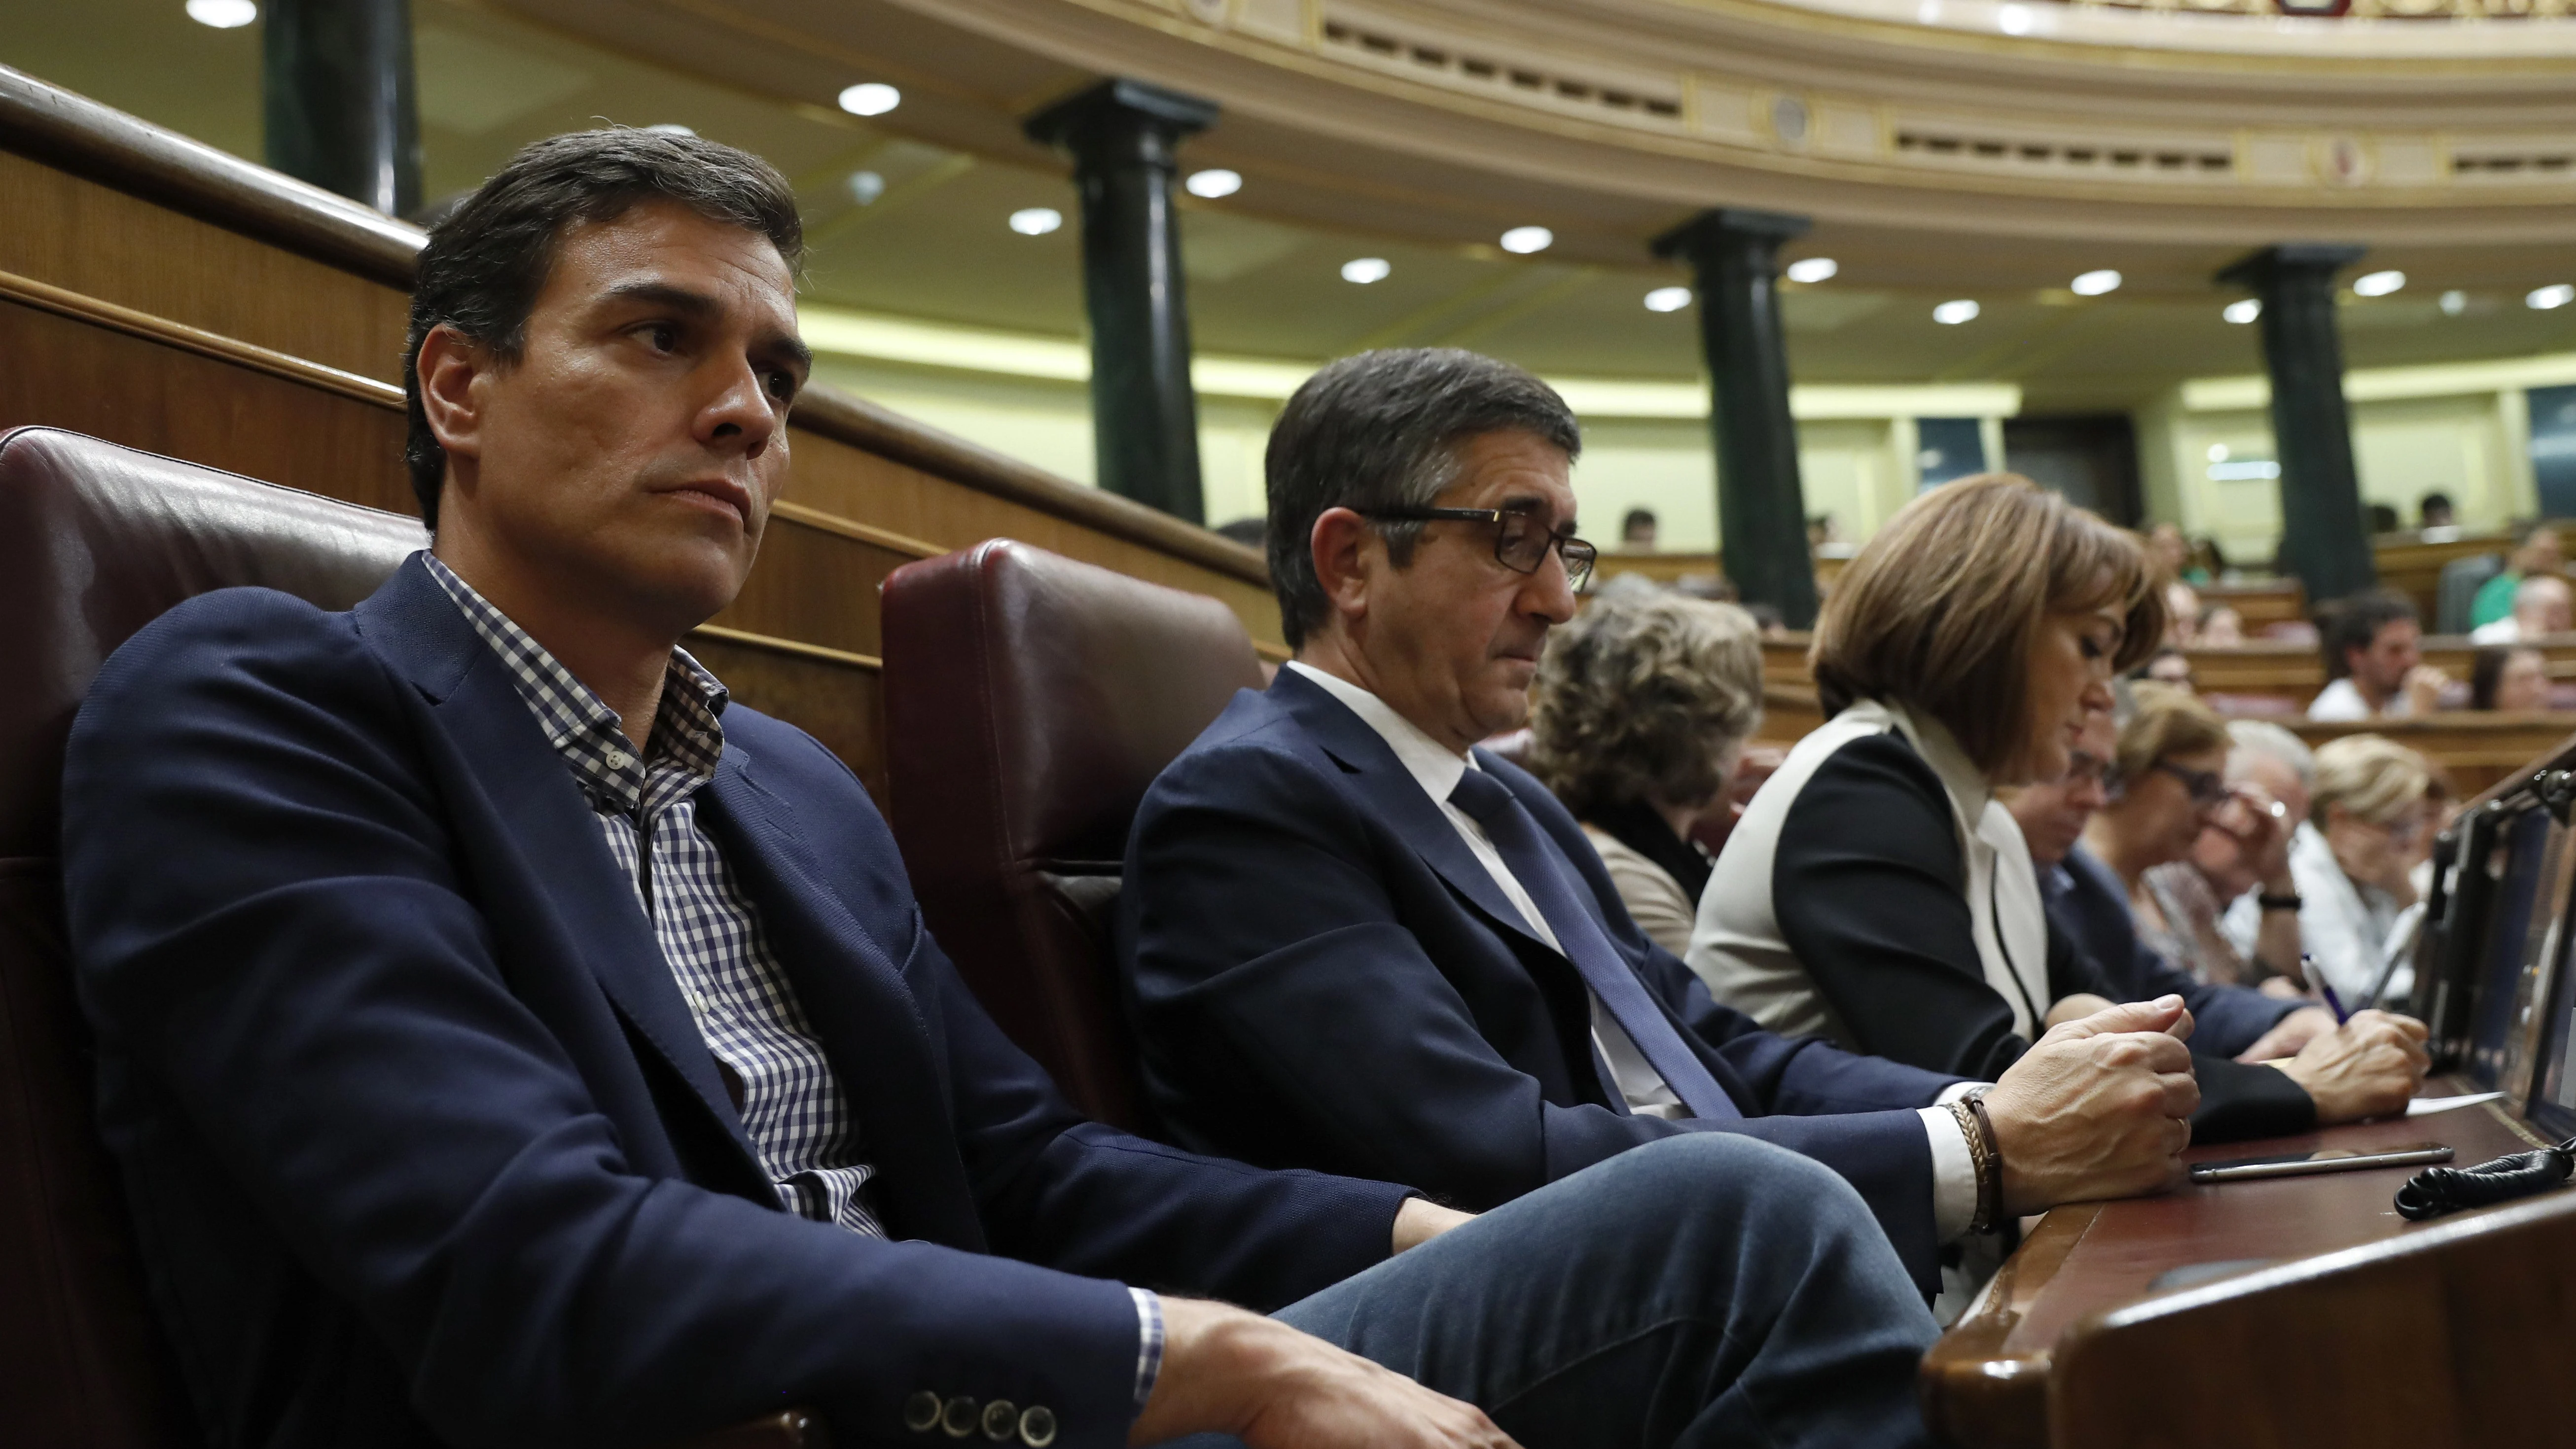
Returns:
<point x="2322" y="531"/>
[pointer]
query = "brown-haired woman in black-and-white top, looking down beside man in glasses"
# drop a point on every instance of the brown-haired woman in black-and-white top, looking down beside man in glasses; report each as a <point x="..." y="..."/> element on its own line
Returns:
<point x="1877" y="892"/>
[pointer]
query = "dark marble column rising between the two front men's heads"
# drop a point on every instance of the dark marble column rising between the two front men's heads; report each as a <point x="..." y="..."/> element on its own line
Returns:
<point x="1124" y="140"/>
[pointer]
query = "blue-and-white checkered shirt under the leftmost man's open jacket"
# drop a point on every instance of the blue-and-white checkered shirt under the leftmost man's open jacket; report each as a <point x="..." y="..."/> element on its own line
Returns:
<point x="710" y="933"/>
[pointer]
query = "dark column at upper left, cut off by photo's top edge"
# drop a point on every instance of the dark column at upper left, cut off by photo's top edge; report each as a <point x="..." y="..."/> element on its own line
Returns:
<point x="339" y="99"/>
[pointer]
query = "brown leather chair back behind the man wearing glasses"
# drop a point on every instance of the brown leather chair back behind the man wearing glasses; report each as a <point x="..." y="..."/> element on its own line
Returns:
<point x="1029" y="704"/>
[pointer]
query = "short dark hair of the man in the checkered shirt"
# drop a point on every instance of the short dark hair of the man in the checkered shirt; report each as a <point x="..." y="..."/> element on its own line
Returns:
<point x="488" y="259"/>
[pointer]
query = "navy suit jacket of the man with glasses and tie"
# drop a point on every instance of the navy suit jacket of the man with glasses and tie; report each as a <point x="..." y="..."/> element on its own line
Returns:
<point x="1325" y="977"/>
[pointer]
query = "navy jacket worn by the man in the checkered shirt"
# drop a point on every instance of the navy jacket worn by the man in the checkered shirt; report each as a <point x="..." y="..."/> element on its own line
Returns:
<point x="424" y="1141"/>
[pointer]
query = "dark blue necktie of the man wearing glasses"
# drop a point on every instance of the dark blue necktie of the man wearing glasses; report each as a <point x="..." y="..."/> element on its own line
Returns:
<point x="1604" y="969"/>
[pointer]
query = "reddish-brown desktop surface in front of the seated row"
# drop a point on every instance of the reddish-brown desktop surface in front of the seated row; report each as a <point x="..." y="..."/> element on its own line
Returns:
<point x="1987" y="1381"/>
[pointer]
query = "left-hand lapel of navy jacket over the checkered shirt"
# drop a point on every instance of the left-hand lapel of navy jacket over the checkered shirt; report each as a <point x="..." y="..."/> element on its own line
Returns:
<point x="547" y="820"/>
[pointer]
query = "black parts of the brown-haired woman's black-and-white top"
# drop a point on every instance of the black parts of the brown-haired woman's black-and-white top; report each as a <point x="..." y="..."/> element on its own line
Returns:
<point x="1869" y="887"/>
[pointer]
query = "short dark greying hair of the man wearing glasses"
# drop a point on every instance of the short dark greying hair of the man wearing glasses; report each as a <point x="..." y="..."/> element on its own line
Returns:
<point x="1382" y="431"/>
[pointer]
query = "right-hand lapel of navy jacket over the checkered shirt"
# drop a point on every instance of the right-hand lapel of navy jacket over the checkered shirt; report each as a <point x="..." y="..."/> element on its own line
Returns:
<point x="864" y="1013"/>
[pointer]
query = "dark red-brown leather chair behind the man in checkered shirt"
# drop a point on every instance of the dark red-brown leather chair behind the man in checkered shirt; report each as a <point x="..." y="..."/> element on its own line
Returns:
<point x="94" y="544"/>
